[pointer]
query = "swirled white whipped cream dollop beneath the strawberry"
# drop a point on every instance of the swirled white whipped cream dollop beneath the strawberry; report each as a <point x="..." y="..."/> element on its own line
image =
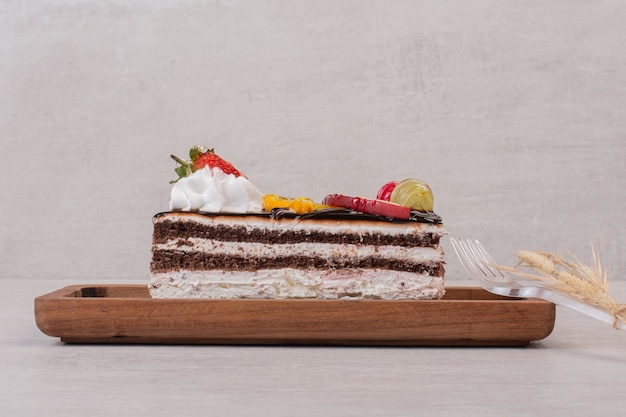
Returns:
<point x="212" y="190"/>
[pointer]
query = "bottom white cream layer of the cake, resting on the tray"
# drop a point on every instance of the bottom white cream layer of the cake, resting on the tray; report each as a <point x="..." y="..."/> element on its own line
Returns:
<point x="294" y="283"/>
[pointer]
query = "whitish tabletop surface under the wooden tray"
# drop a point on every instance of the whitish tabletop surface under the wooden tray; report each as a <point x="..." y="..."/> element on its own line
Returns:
<point x="579" y="370"/>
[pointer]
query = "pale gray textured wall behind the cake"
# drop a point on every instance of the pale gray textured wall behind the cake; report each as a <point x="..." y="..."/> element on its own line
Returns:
<point x="512" y="111"/>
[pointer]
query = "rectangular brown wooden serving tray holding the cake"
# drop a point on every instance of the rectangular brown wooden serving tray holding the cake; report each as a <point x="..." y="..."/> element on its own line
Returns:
<point x="466" y="316"/>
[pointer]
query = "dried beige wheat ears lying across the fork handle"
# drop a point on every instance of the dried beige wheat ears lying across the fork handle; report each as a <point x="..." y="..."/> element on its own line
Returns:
<point x="586" y="283"/>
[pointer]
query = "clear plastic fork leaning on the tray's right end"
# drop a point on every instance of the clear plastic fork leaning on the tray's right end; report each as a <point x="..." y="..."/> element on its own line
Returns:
<point x="477" y="262"/>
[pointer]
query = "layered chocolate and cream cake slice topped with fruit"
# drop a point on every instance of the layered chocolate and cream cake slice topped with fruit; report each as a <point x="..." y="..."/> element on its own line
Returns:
<point x="223" y="239"/>
